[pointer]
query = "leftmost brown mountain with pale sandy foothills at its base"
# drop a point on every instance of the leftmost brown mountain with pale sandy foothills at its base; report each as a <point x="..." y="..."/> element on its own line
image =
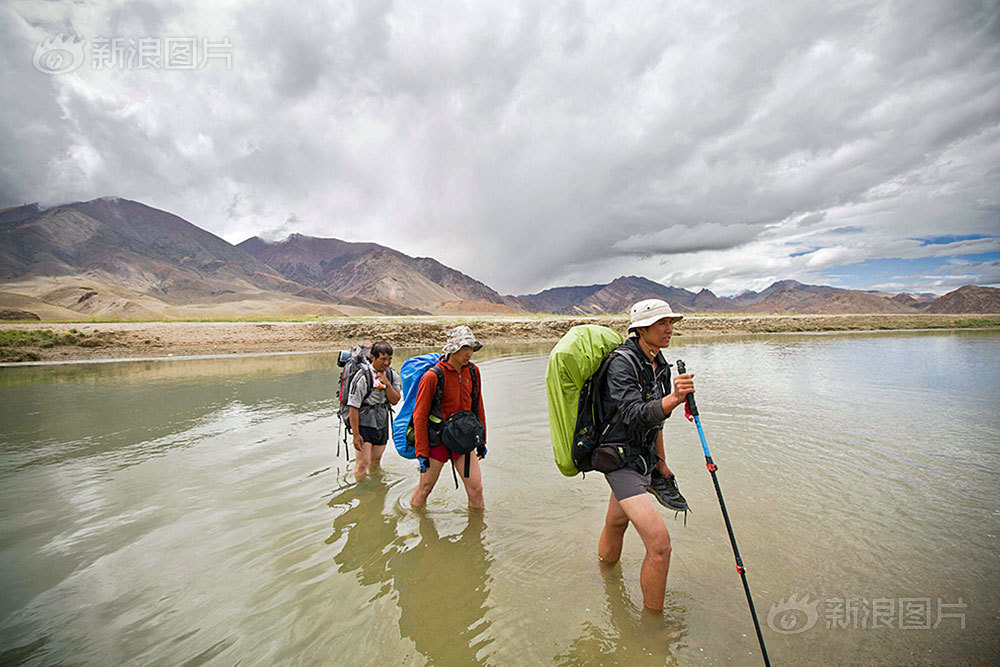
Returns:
<point x="118" y="258"/>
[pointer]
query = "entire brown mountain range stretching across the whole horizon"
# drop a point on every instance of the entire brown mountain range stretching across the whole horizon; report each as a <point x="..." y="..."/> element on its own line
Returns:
<point x="114" y="258"/>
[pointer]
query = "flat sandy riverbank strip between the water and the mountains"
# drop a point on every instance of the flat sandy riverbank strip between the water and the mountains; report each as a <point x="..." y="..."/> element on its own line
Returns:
<point x="123" y="340"/>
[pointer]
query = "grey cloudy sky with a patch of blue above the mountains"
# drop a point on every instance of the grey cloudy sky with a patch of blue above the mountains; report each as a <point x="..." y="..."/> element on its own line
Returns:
<point x="534" y="144"/>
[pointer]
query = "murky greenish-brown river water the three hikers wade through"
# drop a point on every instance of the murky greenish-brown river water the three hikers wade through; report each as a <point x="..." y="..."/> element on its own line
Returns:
<point x="197" y="511"/>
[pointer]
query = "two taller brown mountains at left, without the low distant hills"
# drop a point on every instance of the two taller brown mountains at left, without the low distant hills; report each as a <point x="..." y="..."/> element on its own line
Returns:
<point x="115" y="258"/>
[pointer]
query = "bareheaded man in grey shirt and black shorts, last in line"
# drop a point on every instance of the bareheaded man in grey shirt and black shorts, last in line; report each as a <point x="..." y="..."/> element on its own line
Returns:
<point x="372" y="391"/>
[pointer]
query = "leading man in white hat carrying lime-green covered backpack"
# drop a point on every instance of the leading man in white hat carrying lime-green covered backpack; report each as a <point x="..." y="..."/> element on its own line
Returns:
<point x="608" y="398"/>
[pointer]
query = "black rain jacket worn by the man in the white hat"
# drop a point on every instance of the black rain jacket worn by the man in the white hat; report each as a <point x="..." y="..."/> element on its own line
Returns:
<point x="636" y="397"/>
